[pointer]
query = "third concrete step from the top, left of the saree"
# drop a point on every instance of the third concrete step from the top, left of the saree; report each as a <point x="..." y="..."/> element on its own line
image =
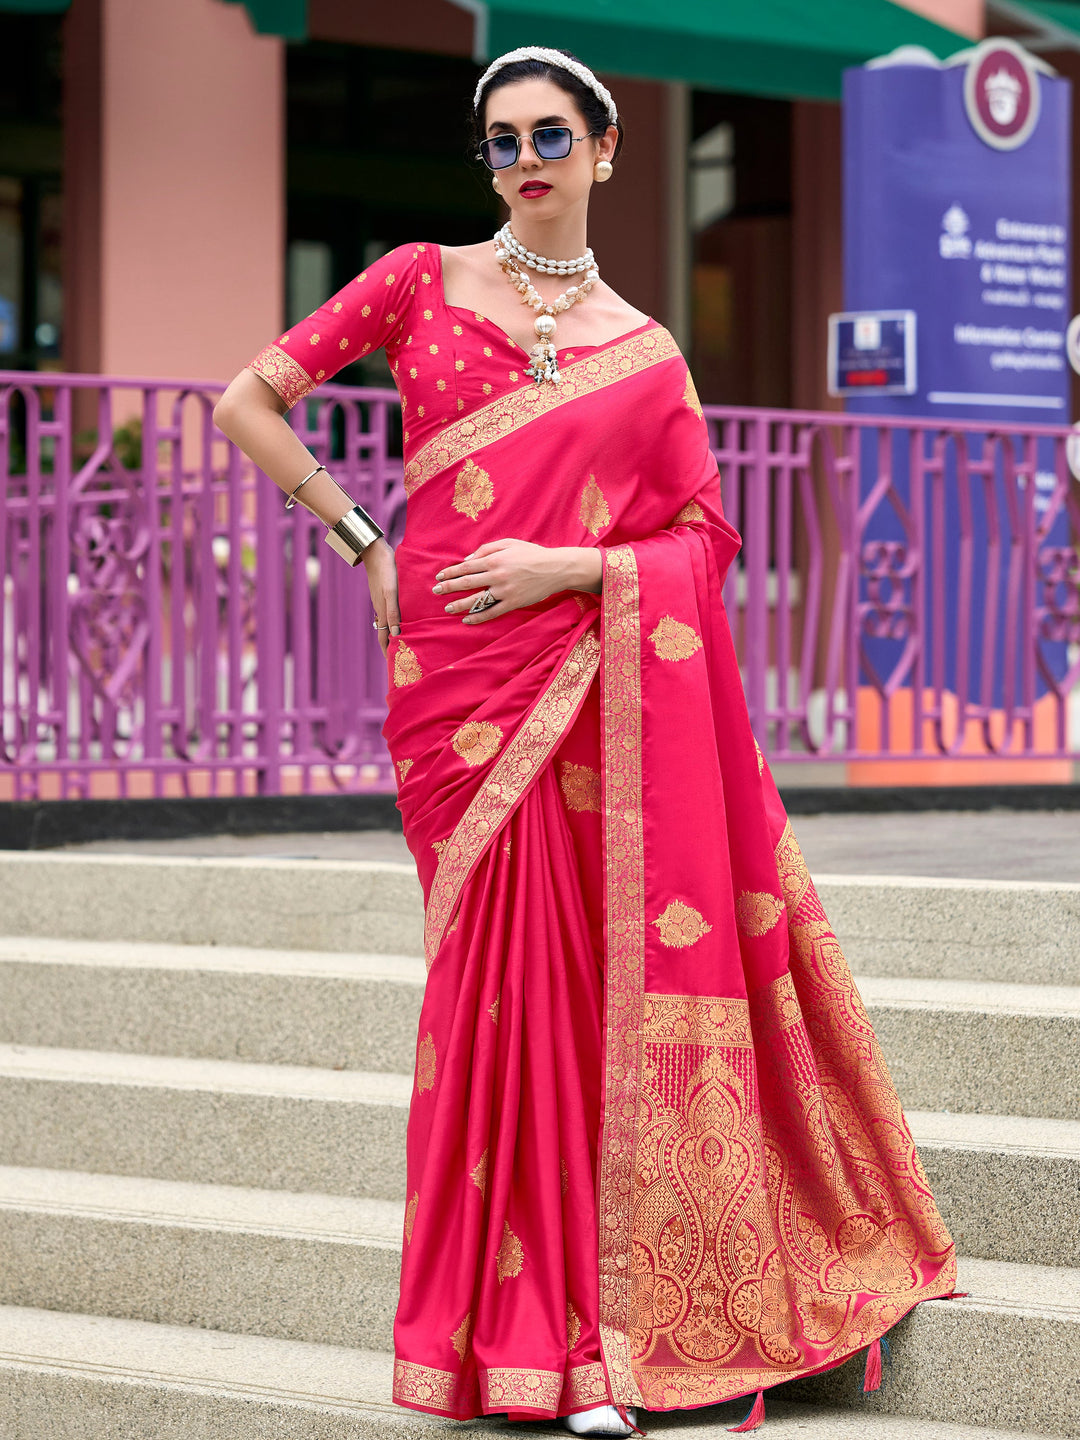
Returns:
<point x="207" y="1121"/>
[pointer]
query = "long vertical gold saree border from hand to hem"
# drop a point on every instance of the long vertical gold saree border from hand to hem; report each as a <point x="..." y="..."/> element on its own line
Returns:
<point x="624" y="834"/>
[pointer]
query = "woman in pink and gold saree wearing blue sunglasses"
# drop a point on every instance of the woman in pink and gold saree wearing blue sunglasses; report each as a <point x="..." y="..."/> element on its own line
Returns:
<point x="654" y="1156"/>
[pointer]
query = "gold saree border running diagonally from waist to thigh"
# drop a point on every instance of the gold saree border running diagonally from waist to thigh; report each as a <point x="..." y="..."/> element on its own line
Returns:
<point x="512" y="775"/>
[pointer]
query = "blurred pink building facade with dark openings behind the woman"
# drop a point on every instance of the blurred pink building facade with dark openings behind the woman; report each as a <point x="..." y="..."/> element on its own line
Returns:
<point x="179" y="181"/>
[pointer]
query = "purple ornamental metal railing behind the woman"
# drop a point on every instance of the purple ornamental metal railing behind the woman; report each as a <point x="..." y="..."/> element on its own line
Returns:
<point x="905" y="591"/>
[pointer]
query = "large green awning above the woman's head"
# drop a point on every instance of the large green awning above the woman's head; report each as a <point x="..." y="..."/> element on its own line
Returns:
<point x="787" y="48"/>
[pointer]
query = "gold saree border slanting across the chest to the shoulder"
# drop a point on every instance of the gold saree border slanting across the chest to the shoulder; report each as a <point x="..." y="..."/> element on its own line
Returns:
<point x="510" y="413"/>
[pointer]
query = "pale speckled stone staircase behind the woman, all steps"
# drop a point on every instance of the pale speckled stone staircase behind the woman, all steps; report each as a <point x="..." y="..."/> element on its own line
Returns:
<point x="202" y="1151"/>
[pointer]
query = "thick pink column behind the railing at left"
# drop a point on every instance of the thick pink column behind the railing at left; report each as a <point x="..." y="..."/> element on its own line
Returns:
<point x="175" y="143"/>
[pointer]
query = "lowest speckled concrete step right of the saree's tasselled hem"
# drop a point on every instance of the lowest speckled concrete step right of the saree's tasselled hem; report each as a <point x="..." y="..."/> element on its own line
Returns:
<point x="1006" y="1356"/>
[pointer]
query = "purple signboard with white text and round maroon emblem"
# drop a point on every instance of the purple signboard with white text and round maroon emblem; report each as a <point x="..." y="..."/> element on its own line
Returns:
<point x="957" y="207"/>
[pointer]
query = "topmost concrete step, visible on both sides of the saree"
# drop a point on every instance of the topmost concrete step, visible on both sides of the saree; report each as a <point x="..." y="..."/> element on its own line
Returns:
<point x="1010" y="932"/>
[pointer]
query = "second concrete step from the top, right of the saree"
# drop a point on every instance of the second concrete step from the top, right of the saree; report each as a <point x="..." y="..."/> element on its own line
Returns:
<point x="978" y="1046"/>
